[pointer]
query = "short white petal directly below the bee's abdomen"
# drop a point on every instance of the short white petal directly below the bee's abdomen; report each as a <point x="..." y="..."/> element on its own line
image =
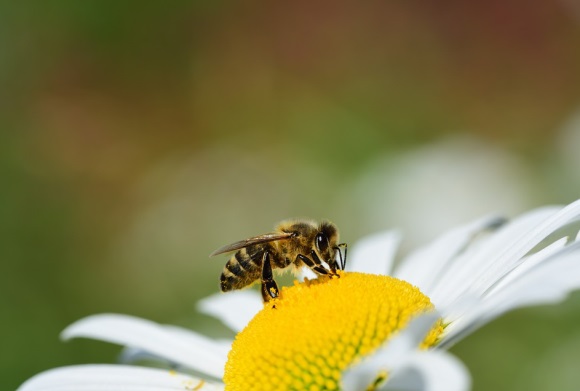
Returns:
<point x="235" y="309"/>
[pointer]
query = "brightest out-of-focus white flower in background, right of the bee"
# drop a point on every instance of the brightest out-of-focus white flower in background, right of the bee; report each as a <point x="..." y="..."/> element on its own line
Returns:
<point x="431" y="189"/>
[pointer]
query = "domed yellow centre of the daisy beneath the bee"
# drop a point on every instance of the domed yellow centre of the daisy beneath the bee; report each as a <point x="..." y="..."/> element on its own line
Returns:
<point x="306" y="338"/>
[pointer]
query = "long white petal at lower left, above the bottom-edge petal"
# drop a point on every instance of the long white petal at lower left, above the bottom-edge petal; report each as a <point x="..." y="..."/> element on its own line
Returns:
<point x="195" y="351"/>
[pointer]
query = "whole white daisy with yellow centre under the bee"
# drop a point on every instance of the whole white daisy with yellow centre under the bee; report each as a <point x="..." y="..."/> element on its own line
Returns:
<point x="376" y="327"/>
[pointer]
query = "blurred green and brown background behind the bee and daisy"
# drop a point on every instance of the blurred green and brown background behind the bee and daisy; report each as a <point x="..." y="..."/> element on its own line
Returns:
<point x="137" y="137"/>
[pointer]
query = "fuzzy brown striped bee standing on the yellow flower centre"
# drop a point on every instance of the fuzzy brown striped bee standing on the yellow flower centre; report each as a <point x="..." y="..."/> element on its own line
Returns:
<point x="294" y="243"/>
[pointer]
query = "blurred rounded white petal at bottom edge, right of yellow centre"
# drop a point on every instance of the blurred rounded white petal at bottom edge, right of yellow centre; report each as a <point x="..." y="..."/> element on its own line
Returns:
<point x="433" y="370"/>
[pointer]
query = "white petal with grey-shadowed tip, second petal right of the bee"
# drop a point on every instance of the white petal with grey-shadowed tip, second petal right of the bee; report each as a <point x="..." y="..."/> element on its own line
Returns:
<point x="423" y="267"/>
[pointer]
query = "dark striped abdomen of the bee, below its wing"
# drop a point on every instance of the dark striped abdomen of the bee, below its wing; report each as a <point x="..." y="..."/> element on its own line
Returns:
<point x="242" y="269"/>
